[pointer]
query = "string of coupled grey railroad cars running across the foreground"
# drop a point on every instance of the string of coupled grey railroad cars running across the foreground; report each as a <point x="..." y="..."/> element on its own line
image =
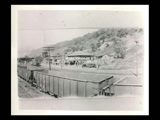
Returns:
<point x="67" y="84"/>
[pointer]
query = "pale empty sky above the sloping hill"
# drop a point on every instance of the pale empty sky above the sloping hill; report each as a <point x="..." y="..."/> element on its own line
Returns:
<point x="39" y="28"/>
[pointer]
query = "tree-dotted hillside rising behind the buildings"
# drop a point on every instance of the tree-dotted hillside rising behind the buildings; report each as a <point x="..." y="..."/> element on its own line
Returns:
<point x="104" y="41"/>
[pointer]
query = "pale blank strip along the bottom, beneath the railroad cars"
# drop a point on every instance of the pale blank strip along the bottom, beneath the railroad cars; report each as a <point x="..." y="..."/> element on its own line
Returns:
<point x="119" y="103"/>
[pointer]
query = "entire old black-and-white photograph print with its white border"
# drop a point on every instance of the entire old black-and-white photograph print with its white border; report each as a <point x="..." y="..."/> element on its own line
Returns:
<point x="79" y="59"/>
